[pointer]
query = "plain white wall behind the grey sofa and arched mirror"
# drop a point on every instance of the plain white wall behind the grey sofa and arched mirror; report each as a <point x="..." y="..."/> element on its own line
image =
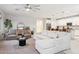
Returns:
<point x="27" y="20"/>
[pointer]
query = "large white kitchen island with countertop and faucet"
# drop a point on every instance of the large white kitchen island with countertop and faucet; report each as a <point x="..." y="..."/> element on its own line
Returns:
<point x="49" y="42"/>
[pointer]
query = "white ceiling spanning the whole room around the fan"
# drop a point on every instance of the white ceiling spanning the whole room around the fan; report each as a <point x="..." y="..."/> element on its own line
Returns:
<point x="46" y="10"/>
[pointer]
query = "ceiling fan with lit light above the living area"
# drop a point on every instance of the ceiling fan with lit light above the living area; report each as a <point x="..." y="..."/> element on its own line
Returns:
<point x="29" y="7"/>
